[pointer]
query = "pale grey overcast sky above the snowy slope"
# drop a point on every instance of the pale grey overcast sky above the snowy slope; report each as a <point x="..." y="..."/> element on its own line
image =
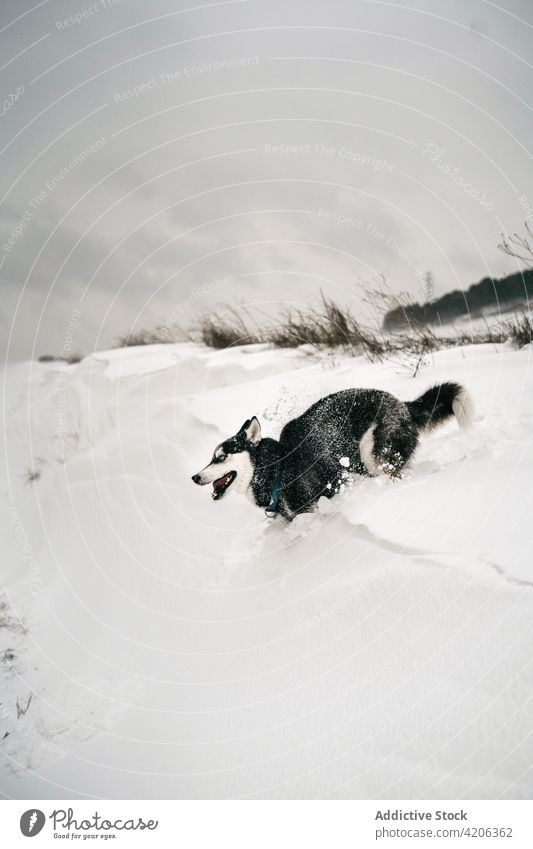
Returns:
<point x="158" y="161"/>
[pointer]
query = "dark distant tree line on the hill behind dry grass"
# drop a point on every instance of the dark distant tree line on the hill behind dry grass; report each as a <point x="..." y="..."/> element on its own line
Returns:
<point x="488" y="294"/>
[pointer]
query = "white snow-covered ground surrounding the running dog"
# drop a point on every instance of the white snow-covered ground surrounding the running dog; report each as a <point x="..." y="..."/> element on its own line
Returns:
<point x="176" y="647"/>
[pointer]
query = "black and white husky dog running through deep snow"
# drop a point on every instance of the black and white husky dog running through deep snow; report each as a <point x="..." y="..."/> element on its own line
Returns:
<point x="357" y="431"/>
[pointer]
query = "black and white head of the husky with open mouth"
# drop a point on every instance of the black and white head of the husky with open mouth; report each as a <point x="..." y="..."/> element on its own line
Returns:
<point x="231" y="465"/>
